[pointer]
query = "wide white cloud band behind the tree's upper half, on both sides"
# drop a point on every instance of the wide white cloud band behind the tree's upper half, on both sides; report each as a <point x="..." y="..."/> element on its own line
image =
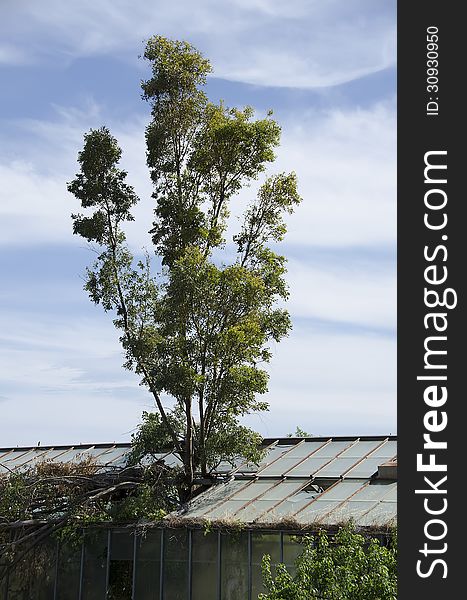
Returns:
<point x="345" y="161"/>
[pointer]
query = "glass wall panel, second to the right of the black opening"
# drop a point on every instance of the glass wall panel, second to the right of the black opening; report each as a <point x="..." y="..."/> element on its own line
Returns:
<point x="175" y="564"/>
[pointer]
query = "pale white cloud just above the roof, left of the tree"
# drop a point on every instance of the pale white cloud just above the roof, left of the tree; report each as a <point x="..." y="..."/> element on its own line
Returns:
<point x="62" y="381"/>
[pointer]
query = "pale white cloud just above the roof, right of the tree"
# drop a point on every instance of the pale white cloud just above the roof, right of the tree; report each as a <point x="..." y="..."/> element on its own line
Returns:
<point x="331" y="384"/>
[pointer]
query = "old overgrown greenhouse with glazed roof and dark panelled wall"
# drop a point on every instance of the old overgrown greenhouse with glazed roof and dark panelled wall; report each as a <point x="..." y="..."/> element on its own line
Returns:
<point x="212" y="549"/>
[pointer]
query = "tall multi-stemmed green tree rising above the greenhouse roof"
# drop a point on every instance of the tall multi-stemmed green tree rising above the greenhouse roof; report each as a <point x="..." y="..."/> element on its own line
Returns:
<point x="198" y="331"/>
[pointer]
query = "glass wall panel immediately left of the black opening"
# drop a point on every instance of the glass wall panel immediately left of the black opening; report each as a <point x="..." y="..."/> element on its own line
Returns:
<point x="95" y="565"/>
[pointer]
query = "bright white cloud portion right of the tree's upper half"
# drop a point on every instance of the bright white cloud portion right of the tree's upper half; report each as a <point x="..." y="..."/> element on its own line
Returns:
<point x="346" y="166"/>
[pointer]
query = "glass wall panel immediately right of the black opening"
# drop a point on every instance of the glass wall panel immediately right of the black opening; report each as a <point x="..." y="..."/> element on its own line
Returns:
<point x="148" y="565"/>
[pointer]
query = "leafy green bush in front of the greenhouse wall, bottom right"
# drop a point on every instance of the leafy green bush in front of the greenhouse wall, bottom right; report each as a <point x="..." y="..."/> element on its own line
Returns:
<point x="347" y="566"/>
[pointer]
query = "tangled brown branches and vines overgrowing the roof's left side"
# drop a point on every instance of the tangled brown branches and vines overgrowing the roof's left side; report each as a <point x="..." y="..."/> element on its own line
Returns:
<point x="59" y="500"/>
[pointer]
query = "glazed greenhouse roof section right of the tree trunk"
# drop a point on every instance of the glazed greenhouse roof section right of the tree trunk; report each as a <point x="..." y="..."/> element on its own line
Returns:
<point x="322" y="481"/>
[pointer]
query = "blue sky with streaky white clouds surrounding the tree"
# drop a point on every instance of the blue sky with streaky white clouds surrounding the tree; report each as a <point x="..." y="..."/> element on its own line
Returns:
<point x="327" y="69"/>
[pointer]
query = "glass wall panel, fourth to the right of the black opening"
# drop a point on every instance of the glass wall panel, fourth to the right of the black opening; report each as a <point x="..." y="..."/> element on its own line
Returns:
<point x="234" y="566"/>
